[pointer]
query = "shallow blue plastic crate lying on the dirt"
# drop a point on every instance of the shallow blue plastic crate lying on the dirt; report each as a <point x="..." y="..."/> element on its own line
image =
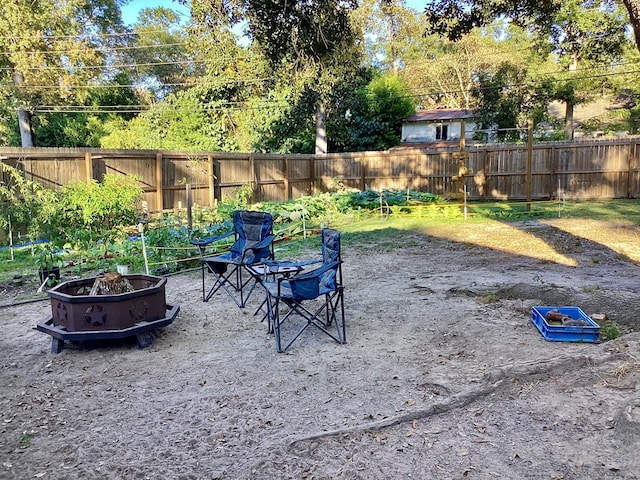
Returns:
<point x="566" y="333"/>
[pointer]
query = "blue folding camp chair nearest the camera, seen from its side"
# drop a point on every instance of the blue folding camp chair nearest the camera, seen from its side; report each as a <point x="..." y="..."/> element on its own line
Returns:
<point x="313" y="298"/>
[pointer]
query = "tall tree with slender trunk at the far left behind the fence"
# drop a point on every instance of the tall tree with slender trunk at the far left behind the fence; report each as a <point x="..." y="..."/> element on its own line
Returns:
<point x="52" y="51"/>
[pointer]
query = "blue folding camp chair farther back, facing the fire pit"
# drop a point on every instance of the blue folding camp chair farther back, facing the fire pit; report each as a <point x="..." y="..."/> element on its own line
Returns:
<point x="253" y="232"/>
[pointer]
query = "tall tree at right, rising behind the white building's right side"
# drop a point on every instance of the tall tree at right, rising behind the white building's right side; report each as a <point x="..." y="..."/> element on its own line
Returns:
<point x="579" y="33"/>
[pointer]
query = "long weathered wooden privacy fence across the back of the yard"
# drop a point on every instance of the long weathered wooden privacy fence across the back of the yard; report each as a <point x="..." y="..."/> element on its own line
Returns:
<point x="595" y="169"/>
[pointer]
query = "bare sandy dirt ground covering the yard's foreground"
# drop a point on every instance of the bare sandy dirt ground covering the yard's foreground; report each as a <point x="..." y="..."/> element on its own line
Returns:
<point x="443" y="377"/>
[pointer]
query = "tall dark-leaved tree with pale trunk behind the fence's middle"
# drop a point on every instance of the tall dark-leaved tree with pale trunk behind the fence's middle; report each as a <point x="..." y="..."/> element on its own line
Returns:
<point x="313" y="39"/>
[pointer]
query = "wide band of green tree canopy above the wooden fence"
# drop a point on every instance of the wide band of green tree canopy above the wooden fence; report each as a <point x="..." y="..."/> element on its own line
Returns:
<point x="277" y="76"/>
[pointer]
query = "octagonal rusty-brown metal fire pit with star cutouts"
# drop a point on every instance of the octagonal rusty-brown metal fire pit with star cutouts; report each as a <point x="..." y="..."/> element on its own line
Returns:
<point x="78" y="316"/>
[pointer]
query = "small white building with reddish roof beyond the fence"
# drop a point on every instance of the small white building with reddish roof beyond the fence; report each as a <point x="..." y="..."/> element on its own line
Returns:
<point x="438" y="125"/>
